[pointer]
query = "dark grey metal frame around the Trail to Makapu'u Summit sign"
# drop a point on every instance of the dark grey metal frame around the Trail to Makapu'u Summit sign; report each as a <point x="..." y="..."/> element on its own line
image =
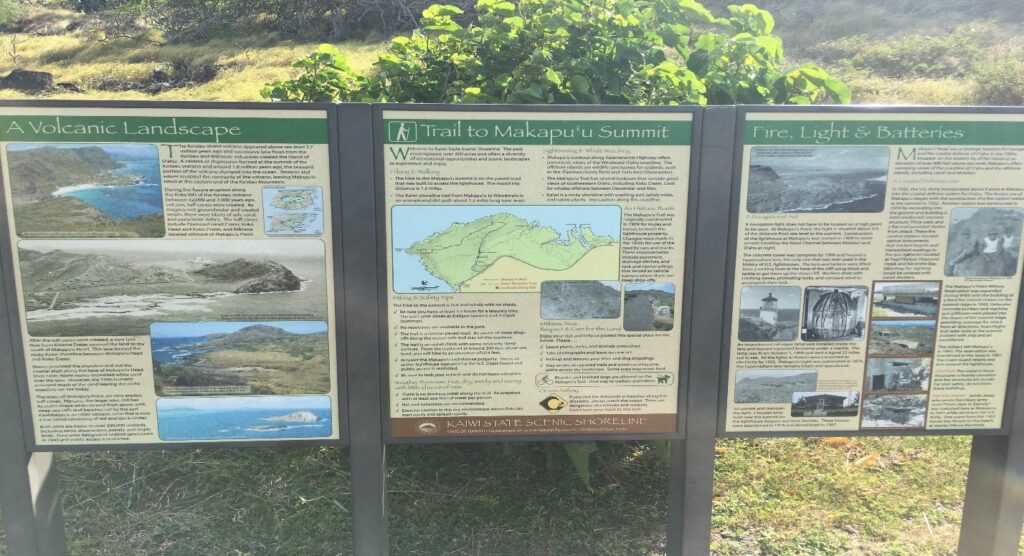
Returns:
<point x="383" y="286"/>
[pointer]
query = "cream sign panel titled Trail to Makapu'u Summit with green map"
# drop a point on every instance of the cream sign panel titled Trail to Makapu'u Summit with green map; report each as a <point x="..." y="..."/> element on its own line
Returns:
<point x="535" y="271"/>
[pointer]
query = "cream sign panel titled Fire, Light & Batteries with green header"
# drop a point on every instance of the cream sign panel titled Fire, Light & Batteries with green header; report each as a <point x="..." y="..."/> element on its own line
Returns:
<point x="878" y="271"/>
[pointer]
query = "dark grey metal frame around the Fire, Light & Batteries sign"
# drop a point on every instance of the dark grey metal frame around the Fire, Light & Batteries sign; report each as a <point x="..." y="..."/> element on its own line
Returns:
<point x="734" y="231"/>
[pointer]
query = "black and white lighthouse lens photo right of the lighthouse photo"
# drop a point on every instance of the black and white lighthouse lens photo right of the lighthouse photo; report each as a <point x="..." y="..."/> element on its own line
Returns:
<point x="834" y="314"/>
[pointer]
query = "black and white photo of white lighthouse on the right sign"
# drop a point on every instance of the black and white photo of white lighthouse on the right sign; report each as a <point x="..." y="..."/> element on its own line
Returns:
<point x="770" y="314"/>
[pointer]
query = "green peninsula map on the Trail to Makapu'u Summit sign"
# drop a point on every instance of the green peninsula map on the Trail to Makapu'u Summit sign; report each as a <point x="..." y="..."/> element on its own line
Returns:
<point x="509" y="252"/>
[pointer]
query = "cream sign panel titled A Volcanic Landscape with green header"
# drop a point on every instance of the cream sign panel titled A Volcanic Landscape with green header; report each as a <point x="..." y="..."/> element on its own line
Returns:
<point x="175" y="273"/>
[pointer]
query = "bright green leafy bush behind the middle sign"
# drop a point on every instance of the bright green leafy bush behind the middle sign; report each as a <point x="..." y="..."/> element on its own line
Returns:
<point x="574" y="52"/>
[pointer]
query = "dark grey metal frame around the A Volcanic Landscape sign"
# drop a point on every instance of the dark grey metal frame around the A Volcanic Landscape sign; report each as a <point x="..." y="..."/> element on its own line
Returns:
<point x="340" y="412"/>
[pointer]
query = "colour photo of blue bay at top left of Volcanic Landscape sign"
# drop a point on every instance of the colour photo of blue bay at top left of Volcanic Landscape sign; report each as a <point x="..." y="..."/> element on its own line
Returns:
<point x="87" y="191"/>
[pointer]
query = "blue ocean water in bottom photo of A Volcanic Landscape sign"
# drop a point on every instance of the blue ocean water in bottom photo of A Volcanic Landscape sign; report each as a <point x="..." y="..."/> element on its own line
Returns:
<point x="255" y="424"/>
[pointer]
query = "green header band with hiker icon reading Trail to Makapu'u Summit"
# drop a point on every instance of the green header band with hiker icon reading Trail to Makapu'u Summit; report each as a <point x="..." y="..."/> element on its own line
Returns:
<point x="579" y="133"/>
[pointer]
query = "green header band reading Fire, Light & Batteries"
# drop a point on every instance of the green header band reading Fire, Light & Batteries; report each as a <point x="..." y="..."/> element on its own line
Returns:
<point x="882" y="133"/>
